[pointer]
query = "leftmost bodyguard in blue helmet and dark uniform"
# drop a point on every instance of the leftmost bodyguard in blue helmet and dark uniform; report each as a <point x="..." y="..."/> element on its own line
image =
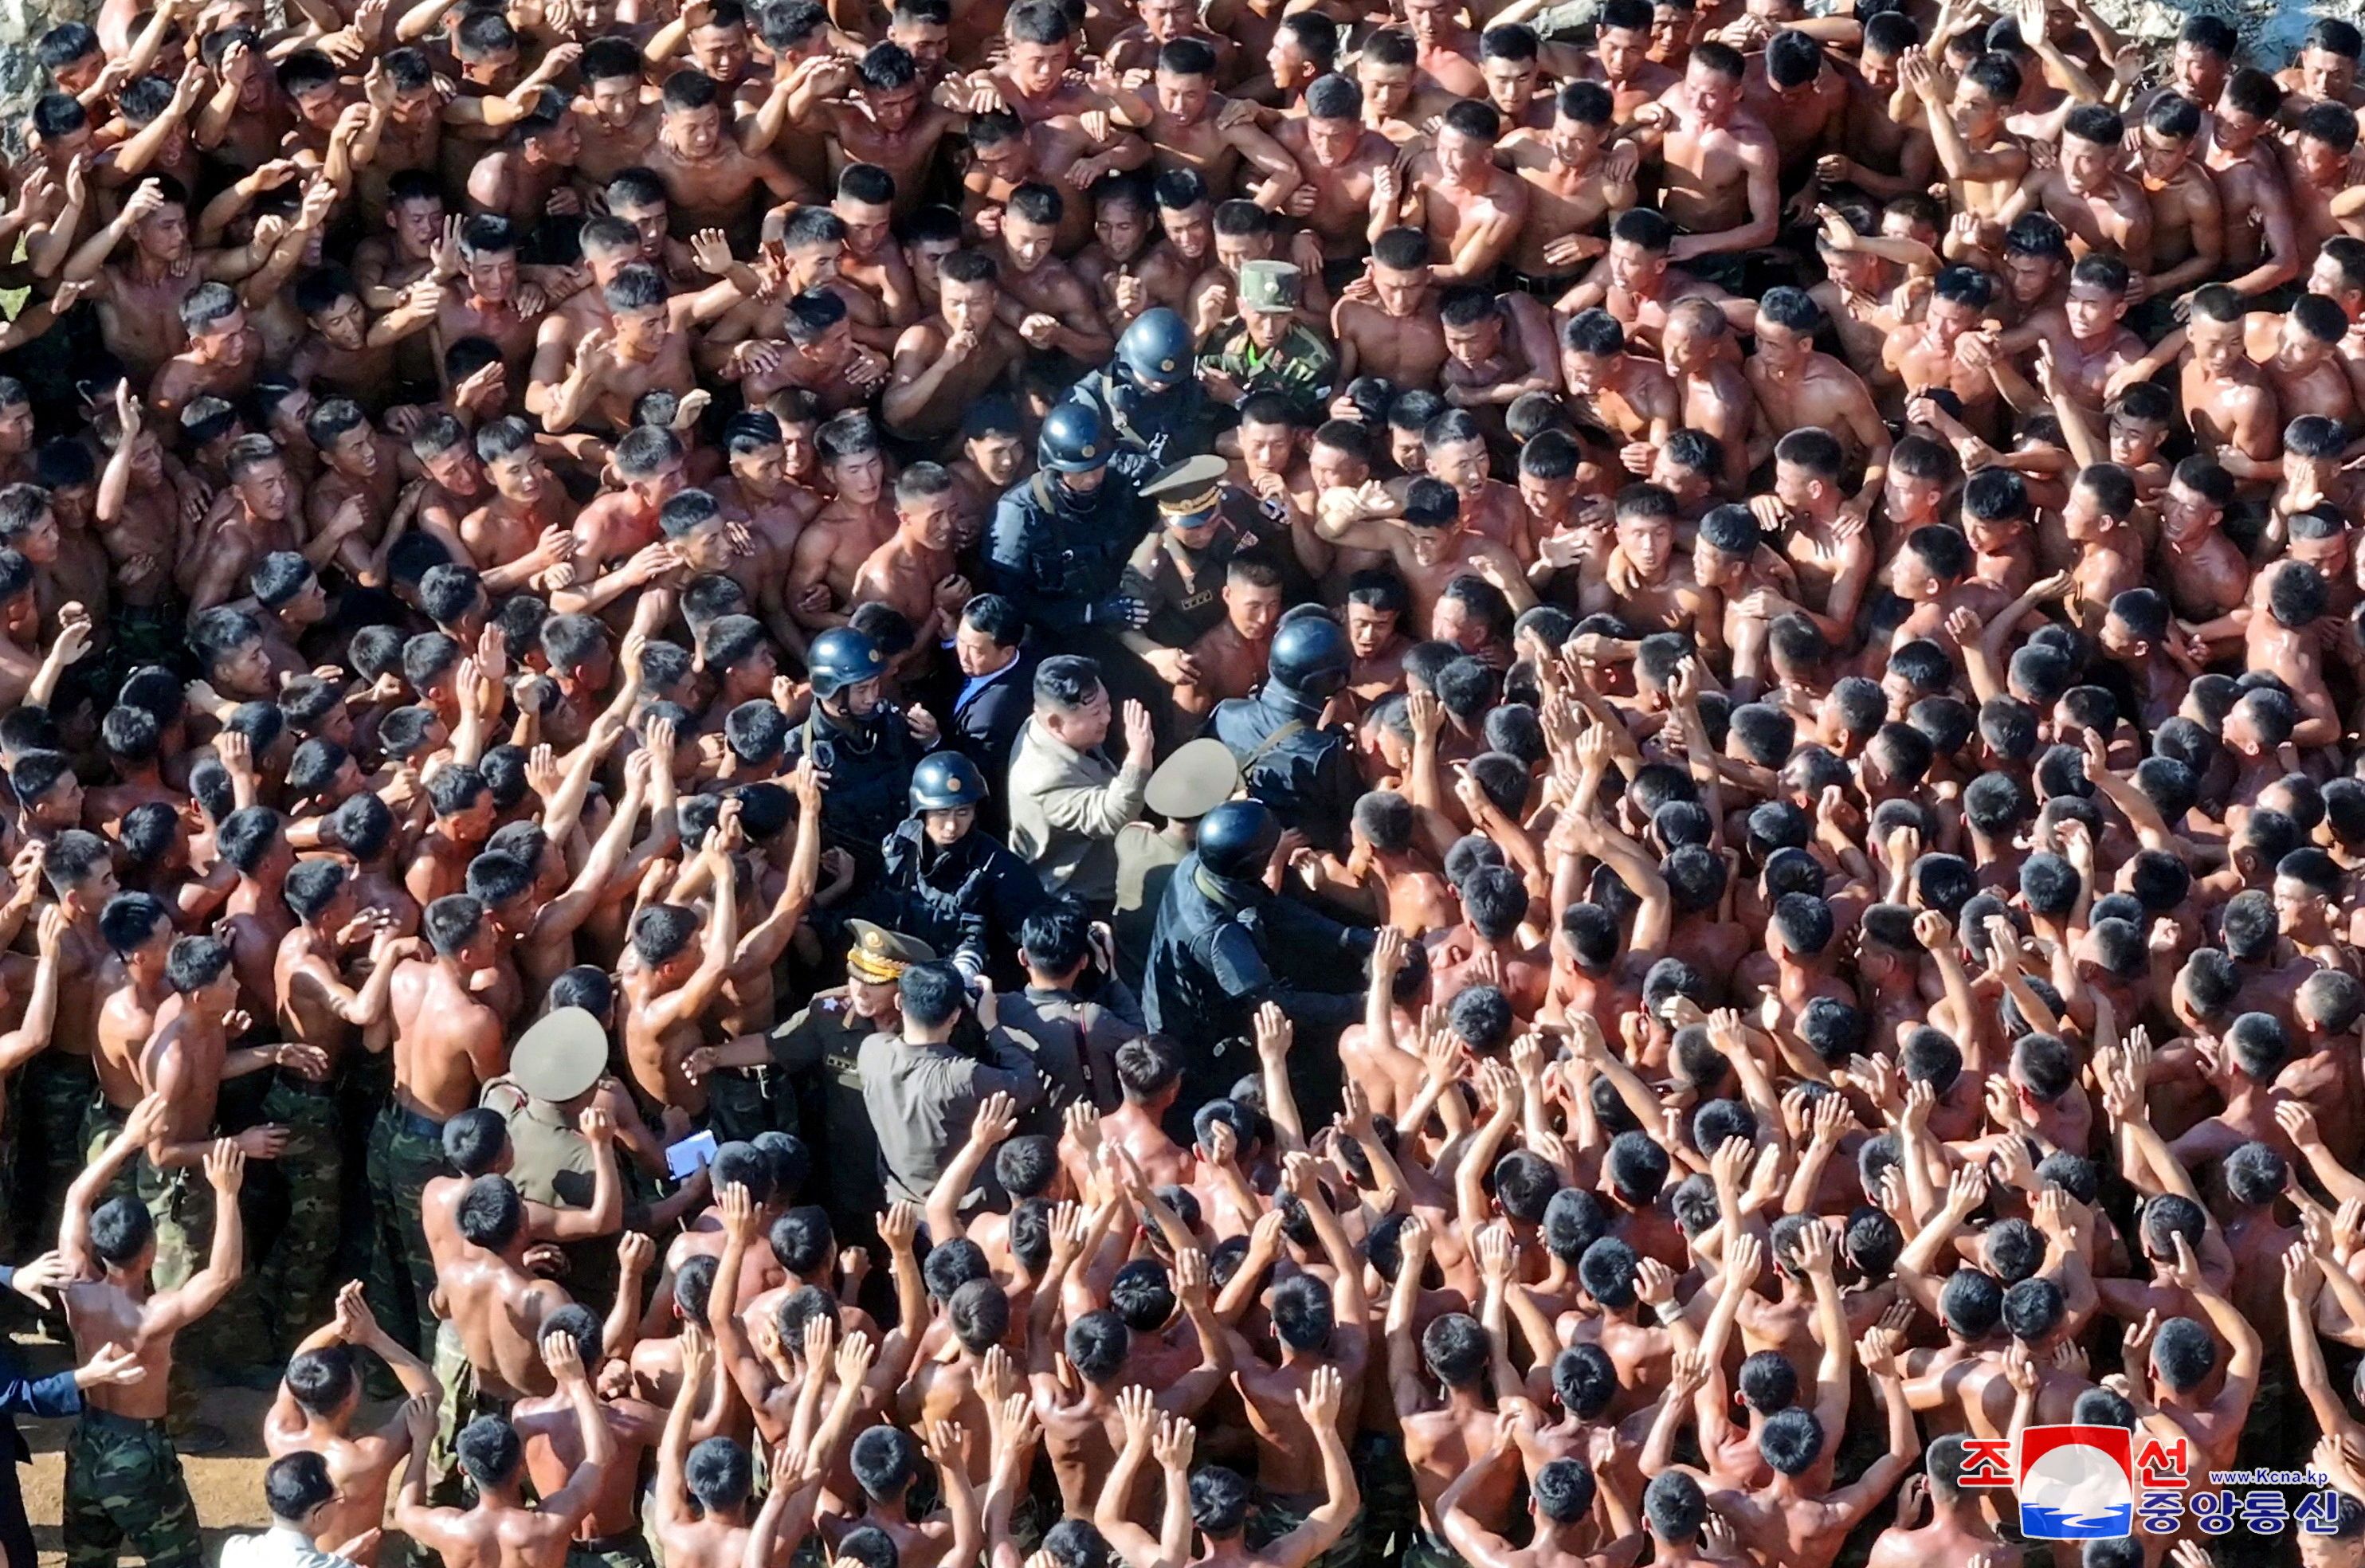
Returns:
<point x="864" y="744"/>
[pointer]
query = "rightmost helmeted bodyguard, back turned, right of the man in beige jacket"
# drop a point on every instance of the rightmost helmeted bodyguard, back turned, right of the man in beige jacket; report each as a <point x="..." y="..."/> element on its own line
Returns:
<point x="1285" y="756"/>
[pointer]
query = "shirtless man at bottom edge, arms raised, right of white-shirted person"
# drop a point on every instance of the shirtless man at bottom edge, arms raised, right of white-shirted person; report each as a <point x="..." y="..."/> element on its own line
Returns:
<point x="503" y="1531"/>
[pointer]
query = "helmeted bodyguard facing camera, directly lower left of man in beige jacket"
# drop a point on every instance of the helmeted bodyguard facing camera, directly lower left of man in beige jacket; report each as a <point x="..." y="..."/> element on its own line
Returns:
<point x="952" y="883"/>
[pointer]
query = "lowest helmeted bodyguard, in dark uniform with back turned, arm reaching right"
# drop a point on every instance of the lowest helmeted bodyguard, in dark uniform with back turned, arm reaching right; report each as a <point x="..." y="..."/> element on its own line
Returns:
<point x="1226" y="945"/>
